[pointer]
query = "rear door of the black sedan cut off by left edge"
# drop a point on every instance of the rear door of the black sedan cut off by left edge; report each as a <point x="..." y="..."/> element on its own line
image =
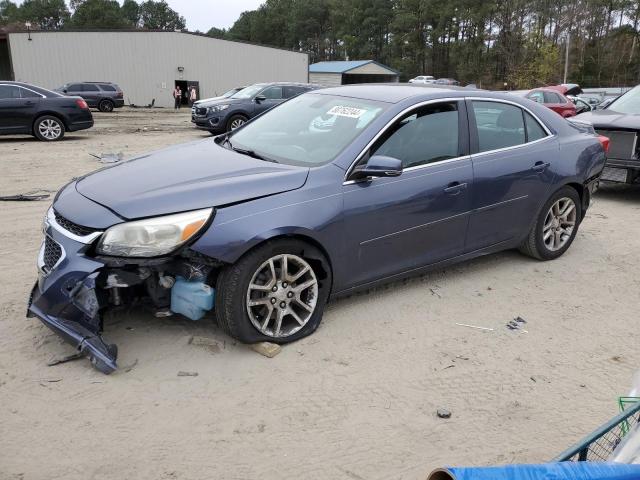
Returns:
<point x="17" y="108"/>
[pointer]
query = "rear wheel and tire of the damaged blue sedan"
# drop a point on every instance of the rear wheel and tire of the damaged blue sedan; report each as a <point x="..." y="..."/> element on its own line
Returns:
<point x="551" y="236"/>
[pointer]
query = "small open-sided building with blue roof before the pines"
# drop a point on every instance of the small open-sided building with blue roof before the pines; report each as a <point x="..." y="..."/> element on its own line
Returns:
<point x="348" y="72"/>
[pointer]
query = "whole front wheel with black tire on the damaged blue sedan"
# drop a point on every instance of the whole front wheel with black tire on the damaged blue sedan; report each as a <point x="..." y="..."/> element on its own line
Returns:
<point x="234" y="295"/>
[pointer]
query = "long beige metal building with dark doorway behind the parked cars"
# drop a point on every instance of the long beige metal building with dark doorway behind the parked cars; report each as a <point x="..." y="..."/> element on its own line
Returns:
<point x="147" y="65"/>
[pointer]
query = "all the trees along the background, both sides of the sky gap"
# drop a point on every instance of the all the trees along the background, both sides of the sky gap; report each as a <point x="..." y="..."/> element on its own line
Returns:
<point x="492" y="43"/>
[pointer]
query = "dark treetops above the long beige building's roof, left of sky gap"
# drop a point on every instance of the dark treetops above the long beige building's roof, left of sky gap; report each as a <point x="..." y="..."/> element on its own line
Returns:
<point x="90" y="14"/>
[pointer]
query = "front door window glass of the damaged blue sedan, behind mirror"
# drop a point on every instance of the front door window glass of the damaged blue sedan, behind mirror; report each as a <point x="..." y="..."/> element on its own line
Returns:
<point x="427" y="135"/>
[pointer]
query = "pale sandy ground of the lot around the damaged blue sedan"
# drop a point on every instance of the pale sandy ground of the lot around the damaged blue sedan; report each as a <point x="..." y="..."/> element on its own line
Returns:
<point x="358" y="399"/>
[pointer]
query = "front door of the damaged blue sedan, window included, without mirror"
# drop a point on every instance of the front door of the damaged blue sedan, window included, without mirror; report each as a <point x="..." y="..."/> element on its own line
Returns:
<point x="419" y="218"/>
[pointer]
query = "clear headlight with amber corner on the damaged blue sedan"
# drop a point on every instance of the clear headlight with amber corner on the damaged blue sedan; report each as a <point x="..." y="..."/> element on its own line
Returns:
<point x="154" y="236"/>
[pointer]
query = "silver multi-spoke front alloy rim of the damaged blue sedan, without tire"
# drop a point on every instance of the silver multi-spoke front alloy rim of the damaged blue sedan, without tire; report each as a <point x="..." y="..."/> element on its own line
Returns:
<point x="282" y="296"/>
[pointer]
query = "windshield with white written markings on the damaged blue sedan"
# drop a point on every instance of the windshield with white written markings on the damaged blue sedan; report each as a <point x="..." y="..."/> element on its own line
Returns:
<point x="309" y="130"/>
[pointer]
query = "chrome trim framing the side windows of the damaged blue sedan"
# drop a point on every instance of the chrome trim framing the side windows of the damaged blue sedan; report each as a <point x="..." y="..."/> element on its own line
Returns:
<point x="449" y="99"/>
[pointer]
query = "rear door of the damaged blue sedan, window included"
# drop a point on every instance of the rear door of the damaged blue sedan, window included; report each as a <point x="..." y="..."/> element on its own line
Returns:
<point x="512" y="156"/>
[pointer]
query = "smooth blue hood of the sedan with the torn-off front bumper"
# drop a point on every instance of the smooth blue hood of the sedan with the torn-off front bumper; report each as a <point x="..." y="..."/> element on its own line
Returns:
<point x="187" y="177"/>
